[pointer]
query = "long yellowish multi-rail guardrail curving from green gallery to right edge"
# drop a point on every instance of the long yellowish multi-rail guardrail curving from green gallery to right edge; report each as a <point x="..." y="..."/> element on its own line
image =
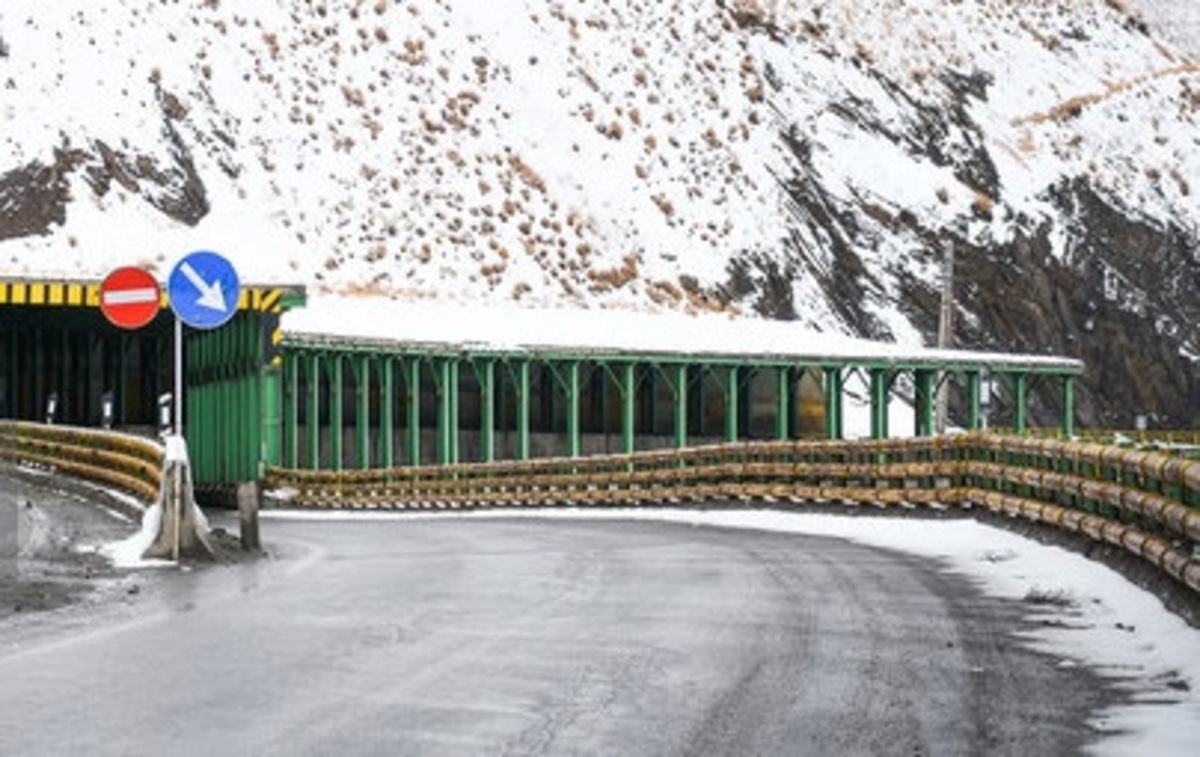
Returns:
<point x="1143" y="502"/>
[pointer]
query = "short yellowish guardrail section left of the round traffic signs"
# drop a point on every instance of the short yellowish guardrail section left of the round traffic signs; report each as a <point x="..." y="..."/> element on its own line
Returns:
<point x="123" y="461"/>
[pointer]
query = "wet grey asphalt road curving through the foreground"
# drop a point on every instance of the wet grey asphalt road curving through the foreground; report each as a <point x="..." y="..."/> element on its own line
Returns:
<point x="501" y="636"/>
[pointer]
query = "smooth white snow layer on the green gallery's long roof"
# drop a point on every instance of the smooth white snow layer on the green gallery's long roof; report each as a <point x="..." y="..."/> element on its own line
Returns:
<point x="445" y="327"/>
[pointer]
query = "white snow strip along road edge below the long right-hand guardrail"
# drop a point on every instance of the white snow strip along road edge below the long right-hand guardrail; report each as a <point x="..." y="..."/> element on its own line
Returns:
<point x="1097" y="617"/>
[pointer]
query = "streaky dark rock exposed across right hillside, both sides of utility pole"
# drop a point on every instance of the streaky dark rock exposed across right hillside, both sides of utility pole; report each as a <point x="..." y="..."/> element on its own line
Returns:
<point x="1126" y="299"/>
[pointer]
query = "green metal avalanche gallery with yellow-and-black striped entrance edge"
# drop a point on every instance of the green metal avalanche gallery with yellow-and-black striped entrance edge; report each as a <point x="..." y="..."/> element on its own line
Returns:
<point x="260" y="393"/>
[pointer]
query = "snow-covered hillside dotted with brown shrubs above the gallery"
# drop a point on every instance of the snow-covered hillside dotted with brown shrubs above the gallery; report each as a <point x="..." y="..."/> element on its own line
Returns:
<point x="794" y="160"/>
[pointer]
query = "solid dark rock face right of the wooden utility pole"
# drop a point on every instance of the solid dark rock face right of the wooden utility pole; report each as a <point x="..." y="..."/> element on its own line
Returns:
<point x="1109" y="305"/>
